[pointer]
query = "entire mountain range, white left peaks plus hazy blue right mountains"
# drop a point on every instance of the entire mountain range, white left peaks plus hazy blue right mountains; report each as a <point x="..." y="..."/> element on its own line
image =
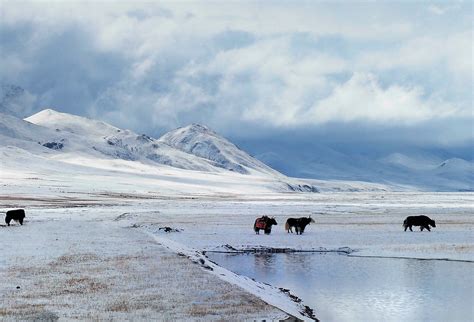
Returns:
<point x="68" y="138"/>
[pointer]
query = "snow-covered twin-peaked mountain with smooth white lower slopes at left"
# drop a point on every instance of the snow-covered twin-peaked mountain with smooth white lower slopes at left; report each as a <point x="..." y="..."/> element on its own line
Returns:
<point x="84" y="142"/>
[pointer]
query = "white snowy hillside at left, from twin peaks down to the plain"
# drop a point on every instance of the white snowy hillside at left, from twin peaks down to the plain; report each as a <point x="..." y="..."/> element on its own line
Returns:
<point x="70" y="146"/>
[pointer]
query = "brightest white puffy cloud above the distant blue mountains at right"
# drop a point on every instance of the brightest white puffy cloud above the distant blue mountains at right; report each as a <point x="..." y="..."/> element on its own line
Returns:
<point x="362" y="99"/>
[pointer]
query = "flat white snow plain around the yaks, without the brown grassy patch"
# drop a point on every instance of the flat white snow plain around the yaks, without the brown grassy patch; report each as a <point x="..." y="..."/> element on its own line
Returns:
<point x="363" y="224"/>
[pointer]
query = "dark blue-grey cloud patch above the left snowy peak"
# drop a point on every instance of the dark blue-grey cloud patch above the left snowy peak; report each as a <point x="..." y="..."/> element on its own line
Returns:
<point x="65" y="71"/>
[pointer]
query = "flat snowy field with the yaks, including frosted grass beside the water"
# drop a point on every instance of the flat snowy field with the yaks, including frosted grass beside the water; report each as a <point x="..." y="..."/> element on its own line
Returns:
<point x="369" y="224"/>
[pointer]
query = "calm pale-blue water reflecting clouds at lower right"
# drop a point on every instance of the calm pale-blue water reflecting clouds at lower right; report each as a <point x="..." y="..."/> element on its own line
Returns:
<point x="343" y="288"/>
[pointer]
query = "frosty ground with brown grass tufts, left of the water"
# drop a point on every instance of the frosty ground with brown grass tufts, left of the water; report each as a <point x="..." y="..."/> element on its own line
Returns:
<point x="74" y="268"/>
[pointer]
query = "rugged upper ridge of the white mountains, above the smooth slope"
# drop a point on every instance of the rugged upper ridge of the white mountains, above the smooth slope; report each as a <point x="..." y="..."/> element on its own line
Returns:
<point x="69" y="138"/>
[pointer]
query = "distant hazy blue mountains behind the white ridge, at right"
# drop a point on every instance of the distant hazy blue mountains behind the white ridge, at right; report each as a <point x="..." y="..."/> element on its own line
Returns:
<point x="430" y="170"/>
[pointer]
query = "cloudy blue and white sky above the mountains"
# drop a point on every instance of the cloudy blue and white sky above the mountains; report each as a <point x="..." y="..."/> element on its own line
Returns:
<point x="351" y="74"/>
